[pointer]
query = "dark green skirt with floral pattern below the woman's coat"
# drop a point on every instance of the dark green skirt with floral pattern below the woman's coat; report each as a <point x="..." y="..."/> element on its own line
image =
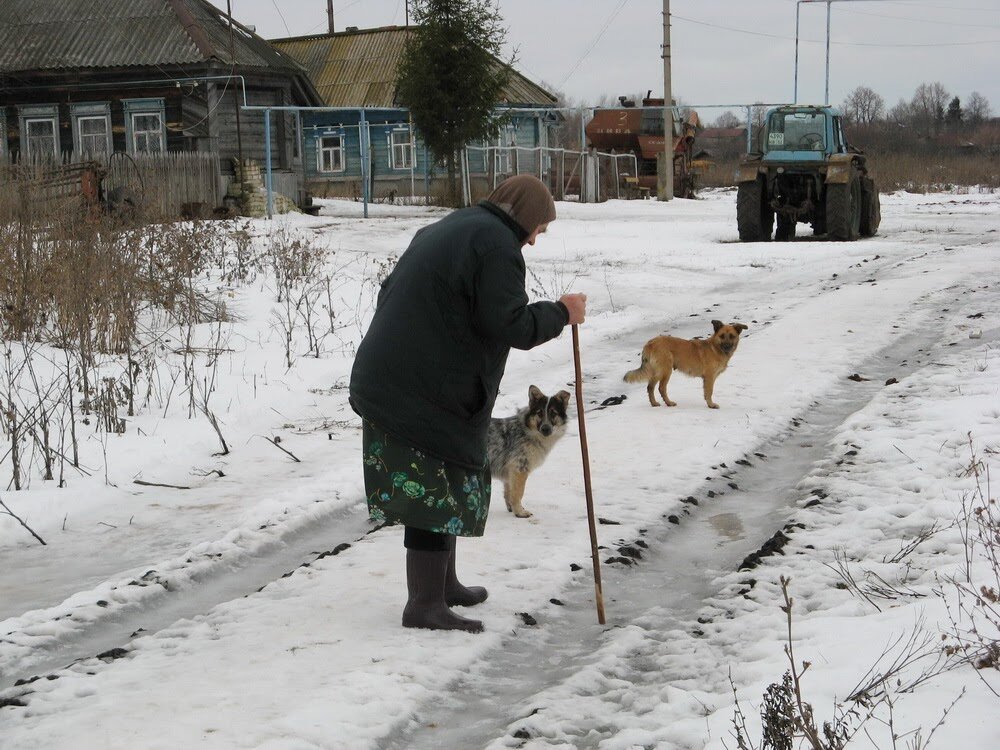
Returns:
<point x="405" y="485"/>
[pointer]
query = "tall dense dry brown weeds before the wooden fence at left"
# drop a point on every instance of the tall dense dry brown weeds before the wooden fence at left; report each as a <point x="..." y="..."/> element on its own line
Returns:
<point x="85" y="301"/>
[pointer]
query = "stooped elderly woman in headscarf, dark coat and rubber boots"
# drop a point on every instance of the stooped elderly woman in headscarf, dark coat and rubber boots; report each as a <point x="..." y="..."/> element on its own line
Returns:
<point x="426" y="377"/>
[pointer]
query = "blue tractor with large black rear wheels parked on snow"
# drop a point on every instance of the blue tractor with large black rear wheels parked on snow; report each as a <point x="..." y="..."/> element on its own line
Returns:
<point x="805" y="171"/>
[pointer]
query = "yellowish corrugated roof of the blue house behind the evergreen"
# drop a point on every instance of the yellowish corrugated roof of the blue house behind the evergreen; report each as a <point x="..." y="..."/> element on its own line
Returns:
<point x="358" y="68"/>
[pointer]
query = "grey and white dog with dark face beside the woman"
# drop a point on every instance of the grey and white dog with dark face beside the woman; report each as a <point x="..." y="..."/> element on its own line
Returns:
<point x="518" y="445"/>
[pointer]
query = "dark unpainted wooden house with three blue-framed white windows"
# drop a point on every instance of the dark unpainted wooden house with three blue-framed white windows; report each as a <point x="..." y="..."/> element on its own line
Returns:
<point x="80" y="78"/>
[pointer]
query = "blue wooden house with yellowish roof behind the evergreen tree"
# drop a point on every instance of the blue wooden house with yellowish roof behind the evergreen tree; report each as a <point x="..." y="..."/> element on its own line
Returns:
<point x="355" y="72"/>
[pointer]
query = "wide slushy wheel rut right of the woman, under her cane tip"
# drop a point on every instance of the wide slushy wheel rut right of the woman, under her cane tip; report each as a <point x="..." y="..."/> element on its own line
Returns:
<point x="665" y="591"/>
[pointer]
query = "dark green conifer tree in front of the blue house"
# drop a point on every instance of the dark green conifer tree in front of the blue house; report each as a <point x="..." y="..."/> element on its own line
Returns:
<point x="451" y="77"/>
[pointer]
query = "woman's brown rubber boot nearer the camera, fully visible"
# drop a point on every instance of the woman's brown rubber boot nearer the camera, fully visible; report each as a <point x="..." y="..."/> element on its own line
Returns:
<point x="426" y="607"/>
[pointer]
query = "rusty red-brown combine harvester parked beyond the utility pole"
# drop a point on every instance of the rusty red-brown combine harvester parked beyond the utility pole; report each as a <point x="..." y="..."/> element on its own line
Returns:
<point x="639" y="131"/>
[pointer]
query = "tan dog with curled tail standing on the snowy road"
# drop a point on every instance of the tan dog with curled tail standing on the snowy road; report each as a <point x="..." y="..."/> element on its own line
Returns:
<point x="699" y="358"/>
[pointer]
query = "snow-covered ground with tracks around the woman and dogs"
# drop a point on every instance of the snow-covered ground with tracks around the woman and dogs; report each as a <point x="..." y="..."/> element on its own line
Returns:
<point x="256" y="609"/>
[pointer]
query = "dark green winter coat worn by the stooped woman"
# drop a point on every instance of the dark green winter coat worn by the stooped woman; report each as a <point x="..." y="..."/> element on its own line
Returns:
<point x="429" y="367"/>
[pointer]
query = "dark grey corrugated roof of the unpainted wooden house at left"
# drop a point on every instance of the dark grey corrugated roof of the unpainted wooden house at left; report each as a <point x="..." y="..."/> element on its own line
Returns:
<point x="57" y="34"/>
